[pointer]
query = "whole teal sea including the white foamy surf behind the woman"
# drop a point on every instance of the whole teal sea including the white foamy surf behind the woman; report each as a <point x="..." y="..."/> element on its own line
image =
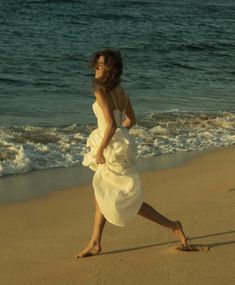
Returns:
<point x="179" y="71"/>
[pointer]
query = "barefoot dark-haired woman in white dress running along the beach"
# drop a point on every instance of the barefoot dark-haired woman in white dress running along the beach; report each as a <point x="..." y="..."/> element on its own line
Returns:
<point x="116" y="183"/>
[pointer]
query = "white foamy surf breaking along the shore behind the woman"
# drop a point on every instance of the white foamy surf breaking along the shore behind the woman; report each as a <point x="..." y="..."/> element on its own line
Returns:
<point x="24" y="148"/>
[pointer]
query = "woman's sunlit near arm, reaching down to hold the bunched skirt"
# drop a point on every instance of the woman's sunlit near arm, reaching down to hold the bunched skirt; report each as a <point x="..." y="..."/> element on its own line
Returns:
<point x="105" y="104"/>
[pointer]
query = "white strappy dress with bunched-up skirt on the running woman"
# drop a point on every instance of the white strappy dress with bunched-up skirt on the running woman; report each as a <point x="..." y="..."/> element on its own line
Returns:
<point x="116" y="183"/>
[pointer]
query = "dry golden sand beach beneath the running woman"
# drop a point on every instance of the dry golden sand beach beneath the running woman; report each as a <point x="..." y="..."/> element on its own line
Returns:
<point x="39" y="237"/>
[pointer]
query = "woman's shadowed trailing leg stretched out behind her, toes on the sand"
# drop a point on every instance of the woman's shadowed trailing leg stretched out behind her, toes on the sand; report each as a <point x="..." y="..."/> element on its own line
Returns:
<point x="150" y="213"/>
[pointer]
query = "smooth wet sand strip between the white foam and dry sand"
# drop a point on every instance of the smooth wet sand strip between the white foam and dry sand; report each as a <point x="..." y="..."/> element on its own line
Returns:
<point x="18" y="187"/>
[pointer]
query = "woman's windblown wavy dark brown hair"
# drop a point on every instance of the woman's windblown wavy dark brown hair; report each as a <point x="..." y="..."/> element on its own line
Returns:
<point x="112" y="76"/>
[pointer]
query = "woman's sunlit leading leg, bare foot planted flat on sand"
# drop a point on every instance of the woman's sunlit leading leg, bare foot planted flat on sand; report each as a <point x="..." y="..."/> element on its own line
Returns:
<point x="94" y="246"/>
